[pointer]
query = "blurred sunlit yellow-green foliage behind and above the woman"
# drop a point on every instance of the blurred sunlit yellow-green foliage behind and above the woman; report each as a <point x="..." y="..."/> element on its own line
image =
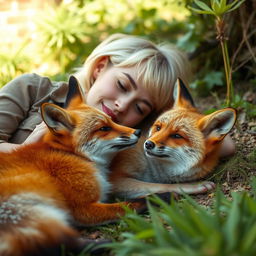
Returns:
<point x="65" y="34"/>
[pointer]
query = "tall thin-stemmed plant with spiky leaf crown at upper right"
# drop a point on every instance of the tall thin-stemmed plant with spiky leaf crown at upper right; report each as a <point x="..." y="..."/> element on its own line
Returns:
<point x="218" y="8"/>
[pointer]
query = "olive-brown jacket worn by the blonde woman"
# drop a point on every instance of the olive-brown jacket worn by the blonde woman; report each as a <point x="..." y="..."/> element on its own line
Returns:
<point x="20" y="102"/>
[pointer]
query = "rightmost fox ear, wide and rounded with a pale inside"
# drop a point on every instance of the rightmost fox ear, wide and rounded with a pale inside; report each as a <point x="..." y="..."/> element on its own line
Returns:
<point x="218" y="124"/>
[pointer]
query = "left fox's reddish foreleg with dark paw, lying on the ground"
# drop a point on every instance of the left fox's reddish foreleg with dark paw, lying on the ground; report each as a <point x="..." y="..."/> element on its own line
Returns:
<point x="100" y="213"/>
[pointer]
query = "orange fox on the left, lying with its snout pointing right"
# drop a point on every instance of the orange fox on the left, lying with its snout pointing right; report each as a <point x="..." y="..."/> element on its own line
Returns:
<point x="63" y="178"/>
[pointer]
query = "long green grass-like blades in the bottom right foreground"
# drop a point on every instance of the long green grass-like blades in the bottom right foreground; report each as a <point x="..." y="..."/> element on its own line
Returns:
<point x="187" y="228"/>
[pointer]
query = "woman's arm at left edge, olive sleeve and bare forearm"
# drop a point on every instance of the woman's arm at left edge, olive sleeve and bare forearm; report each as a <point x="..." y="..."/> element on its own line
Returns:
<point x="16" y="101"/>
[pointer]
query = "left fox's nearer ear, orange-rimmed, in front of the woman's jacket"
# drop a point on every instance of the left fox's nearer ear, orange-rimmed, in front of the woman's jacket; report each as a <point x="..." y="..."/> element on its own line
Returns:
<point x="56" y="118"/>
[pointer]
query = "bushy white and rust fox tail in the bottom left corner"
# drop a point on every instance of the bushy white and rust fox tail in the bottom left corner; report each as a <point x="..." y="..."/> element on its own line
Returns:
<point x="33" y="225"/>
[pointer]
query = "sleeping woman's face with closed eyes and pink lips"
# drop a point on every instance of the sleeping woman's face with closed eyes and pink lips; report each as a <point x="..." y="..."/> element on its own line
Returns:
<point x="117" y="92"/>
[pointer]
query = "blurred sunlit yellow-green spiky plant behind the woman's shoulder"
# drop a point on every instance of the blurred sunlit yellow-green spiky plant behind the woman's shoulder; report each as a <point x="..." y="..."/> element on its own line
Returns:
<point x="61" y="33"/>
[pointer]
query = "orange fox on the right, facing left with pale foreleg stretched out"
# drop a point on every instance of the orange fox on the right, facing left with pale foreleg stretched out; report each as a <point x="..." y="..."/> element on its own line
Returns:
<point x="183" y="145"/>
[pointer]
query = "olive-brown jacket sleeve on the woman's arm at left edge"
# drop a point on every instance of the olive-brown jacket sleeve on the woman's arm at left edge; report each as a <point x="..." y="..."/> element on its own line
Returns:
<point x="16" y="99"/>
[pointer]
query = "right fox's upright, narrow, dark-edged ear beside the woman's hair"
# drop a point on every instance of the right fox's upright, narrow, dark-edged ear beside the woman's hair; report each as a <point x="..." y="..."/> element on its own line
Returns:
<point x="181" y="95"/>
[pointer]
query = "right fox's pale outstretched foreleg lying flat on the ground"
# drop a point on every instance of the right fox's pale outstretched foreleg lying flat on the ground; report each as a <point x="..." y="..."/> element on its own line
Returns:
<point x="132" y="188"/>
